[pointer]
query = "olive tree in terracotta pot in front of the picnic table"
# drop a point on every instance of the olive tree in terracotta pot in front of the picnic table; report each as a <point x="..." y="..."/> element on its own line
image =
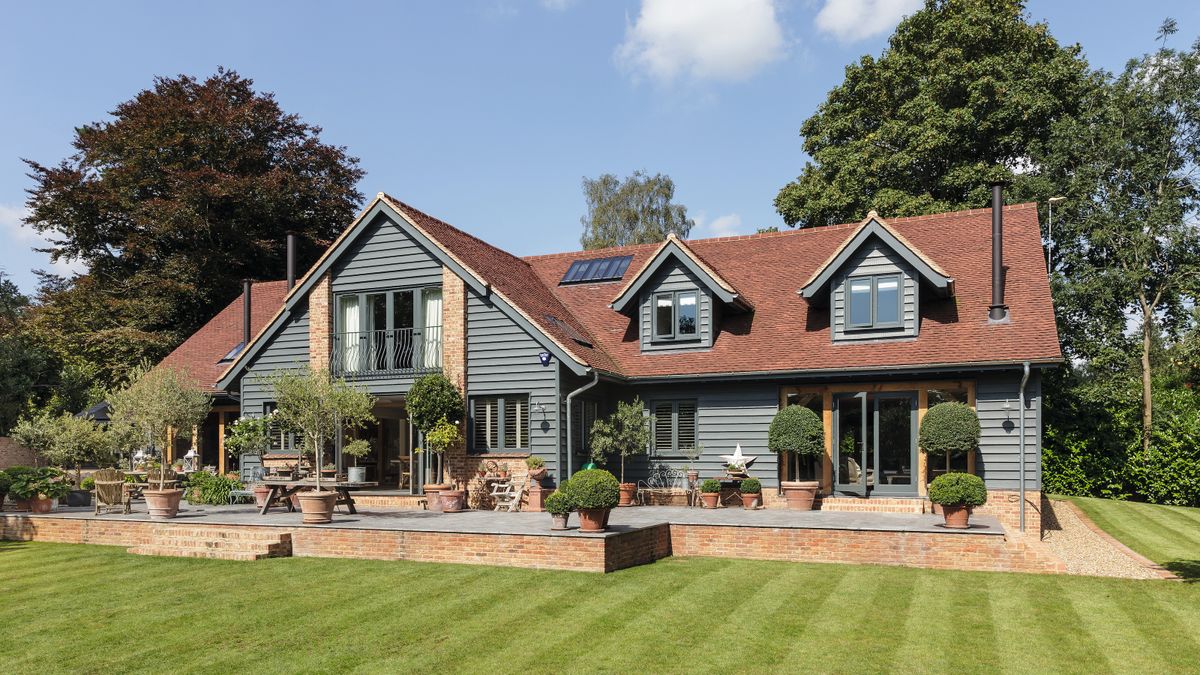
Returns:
<point x="319" y="408"/>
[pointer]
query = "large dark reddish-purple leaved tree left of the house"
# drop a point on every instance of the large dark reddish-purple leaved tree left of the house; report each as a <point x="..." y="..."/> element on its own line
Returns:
<point x="190" y="188"/>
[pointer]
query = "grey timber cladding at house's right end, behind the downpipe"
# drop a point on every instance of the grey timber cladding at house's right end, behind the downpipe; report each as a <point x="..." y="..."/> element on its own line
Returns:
<point x="1000" y="443"/>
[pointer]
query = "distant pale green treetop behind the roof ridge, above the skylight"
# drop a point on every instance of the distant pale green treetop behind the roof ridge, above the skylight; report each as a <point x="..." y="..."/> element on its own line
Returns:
<point x="635" y="211"/>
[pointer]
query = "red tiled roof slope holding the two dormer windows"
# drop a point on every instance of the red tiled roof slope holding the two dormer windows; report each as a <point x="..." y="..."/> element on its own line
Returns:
<point x="781" y="336"/>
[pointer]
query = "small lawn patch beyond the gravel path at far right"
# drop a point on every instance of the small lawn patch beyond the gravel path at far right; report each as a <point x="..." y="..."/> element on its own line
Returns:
<point x="1167" y="535"/>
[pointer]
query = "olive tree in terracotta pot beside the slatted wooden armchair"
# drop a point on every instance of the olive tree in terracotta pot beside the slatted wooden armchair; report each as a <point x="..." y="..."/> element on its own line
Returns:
<point x="157" y="402"/>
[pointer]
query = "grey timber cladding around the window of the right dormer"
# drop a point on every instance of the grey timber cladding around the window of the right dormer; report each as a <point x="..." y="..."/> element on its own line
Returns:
<point x="875" y="259"/>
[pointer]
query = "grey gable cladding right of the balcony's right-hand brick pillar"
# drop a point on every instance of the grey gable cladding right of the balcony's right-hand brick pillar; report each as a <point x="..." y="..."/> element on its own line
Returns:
<point x="502" y="359"/>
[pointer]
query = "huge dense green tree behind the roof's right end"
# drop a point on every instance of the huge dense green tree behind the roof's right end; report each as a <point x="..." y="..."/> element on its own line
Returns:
<point x="967" y="93"/>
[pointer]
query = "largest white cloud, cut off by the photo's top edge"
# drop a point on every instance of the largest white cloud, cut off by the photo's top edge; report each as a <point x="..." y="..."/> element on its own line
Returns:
<point x="721" y="40"/>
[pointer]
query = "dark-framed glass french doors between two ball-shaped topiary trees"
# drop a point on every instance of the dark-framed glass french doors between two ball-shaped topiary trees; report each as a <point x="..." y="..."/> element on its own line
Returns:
<point x="875" y="444"/>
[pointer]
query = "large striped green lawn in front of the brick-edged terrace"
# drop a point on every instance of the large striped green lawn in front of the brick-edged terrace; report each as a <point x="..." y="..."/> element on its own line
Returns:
<point x="80" y="608"/>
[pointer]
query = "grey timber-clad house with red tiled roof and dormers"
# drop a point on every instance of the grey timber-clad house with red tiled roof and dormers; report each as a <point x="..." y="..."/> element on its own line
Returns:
<point x="867" y="324"/>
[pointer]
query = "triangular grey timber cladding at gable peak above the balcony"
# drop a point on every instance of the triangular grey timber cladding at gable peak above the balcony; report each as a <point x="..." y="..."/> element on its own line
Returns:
<point x="386" y="258"/>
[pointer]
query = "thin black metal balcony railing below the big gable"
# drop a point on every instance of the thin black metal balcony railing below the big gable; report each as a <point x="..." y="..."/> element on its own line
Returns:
<point x="387" y="353"/>
